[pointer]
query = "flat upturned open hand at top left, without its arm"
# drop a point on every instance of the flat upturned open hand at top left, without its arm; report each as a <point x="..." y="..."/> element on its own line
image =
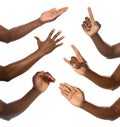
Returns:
<point x="52" y="14"/>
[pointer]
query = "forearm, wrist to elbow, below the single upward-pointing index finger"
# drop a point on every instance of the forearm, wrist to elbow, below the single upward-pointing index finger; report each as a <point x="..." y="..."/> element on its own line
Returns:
<point x="105" y="49"/>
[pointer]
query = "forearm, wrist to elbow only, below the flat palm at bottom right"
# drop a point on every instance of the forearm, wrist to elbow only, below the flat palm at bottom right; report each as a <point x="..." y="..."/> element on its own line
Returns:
<point x="106" y="113"/>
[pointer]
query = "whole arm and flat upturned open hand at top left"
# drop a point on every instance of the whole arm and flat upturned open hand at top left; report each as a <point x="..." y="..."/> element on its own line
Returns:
<point x="20" y="31"/>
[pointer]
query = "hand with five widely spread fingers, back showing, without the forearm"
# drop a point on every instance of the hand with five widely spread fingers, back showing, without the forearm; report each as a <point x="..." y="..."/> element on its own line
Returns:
<point x="50" y="43"/>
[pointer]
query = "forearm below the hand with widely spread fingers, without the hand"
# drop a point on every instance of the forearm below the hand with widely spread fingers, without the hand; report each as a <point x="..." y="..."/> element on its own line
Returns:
<point x="15" y="69"/>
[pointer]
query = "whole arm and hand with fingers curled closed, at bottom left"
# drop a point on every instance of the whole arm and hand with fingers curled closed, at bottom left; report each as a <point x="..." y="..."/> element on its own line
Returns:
<point x="41" y="81"/>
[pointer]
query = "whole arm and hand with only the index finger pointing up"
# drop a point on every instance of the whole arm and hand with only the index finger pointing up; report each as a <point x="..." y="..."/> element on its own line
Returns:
<point x="91" y="28"/>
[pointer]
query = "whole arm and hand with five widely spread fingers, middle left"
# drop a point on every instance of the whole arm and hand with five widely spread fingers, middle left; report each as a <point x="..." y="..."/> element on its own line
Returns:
<point x="44" y="47"/>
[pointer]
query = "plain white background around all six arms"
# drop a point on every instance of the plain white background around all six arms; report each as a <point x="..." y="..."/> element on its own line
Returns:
<point x="51" y="109"/>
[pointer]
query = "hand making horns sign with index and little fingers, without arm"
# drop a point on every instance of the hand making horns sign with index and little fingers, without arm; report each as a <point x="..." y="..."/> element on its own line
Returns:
<point x="78" y="63"/>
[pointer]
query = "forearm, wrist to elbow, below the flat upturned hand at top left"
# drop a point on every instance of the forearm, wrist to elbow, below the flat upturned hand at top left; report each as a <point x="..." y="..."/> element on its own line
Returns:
<point x="20" y="31"/>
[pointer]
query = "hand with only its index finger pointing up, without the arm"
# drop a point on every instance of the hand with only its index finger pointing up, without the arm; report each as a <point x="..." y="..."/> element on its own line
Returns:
<point x="90" y="26"/>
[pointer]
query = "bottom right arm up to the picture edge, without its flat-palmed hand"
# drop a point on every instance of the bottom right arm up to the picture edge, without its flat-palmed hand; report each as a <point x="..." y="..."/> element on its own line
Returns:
<point x="108" y="113"/>
